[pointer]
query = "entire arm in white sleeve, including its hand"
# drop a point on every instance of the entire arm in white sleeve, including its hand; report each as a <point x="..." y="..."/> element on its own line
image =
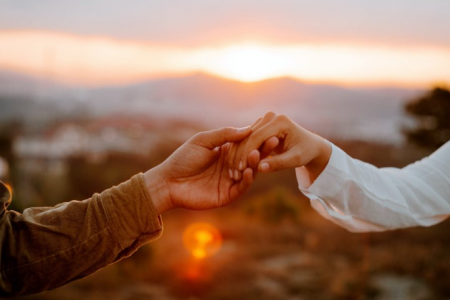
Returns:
<point x="351" y="193"/>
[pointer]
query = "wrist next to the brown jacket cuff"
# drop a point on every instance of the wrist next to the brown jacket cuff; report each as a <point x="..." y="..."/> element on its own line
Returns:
<point x="158" y="190"/>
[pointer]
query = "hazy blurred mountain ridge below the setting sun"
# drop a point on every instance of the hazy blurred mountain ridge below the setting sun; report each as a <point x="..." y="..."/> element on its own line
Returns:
<point x="362" y="113"/>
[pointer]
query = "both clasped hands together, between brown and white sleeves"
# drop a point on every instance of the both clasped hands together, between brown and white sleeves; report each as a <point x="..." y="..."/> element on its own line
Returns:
<point x="216" y="167"/>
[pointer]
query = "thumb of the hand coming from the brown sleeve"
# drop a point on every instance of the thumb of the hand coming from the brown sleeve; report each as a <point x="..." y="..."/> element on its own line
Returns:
<point x="216" y="138"/>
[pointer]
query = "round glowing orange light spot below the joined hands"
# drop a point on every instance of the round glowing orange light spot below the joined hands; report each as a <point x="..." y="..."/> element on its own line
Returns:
<point x="202" y="240"/>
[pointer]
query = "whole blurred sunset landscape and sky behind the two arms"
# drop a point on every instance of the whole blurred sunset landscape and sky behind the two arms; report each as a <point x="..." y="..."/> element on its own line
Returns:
<point x="94" y="92"/>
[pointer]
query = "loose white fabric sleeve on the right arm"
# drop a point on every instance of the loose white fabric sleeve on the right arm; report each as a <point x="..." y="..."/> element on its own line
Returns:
<point x="360" y="197"/>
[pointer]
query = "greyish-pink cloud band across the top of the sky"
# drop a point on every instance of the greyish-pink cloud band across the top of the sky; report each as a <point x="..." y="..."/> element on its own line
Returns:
<point x="199" y="22"/>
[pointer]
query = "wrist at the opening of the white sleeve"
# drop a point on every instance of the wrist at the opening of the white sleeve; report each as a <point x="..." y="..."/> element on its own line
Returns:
<point x="320" y="158"/>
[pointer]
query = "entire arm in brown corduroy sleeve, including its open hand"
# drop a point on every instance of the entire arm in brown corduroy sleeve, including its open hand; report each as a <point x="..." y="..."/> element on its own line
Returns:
<point x="46" y="247"/>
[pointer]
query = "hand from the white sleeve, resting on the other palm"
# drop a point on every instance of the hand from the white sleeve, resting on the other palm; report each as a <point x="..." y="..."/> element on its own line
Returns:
<point x="297" y="147"/>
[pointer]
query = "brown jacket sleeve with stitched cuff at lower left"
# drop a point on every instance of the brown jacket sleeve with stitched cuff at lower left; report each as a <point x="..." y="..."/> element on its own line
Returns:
<point x="47" y="247"/>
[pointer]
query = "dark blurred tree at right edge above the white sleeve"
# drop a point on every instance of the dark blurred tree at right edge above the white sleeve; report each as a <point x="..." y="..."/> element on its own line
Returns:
<point x="432" y="112"/>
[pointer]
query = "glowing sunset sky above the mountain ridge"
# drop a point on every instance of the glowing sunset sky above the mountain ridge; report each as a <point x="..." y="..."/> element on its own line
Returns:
<point x="349" y="42"/>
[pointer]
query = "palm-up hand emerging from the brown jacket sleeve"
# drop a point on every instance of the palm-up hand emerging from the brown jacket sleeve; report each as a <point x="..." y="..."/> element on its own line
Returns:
<point x="195" y="176"/>
